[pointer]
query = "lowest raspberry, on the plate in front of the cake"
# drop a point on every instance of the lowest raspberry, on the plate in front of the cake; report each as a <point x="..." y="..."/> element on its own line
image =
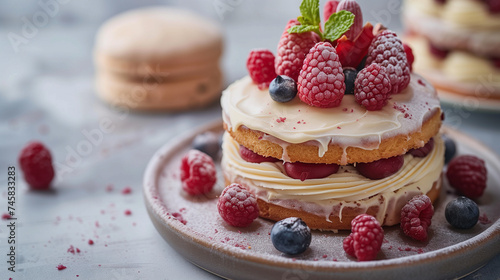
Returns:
<point x="365" y="239"/>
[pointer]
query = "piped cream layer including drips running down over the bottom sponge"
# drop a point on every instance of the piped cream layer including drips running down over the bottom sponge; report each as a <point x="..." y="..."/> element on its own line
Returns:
<point x="345" y="188"/>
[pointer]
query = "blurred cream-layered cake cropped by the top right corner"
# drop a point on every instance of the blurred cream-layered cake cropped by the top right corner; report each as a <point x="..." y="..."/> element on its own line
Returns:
<point x="456" y="45"/>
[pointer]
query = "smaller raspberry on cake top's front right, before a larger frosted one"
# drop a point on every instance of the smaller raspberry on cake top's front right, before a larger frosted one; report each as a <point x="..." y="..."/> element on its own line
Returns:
<point x="372" y="87"/>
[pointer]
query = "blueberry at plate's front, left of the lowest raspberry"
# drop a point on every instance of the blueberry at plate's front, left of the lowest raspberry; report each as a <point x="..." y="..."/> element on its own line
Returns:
<point x="291" y="236"/>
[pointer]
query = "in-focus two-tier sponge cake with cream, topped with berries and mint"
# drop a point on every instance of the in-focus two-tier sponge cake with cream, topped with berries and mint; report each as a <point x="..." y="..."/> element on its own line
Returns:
<point x="360" y="136"/>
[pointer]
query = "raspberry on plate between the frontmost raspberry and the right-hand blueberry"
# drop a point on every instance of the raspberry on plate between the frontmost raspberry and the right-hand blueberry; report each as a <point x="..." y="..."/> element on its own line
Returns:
<point x="416" y="217"/>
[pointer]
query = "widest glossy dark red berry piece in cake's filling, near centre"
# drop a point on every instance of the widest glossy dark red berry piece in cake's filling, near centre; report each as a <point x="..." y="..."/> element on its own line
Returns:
<point x="303" y="171"/>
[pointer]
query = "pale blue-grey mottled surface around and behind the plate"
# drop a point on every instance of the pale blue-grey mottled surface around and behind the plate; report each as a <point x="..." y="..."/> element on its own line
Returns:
<point x="47" y="93"/>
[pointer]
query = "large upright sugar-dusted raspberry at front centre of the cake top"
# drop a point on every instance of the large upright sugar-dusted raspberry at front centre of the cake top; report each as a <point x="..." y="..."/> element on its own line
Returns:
<point x="321" y="80"/>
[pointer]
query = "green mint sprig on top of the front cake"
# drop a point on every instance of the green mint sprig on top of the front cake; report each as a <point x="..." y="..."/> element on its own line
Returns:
<point x="310" y="20"/>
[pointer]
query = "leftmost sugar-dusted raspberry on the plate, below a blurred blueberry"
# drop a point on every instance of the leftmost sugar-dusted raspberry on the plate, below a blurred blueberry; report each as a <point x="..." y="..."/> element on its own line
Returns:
<point x="198" y="173"/>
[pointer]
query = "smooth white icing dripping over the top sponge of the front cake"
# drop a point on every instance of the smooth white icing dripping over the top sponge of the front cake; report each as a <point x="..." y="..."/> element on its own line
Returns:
<point x="349" y="125"/>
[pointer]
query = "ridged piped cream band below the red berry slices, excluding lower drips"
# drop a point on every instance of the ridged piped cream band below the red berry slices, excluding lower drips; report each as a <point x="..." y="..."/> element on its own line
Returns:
<point x="347" y="184"/>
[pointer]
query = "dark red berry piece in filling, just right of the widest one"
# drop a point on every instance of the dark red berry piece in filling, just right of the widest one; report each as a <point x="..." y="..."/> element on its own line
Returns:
<point x="381" y="168"/>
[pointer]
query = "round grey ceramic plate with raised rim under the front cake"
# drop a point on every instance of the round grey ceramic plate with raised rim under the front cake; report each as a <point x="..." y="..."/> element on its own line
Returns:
<point x="192" y="226"/>
